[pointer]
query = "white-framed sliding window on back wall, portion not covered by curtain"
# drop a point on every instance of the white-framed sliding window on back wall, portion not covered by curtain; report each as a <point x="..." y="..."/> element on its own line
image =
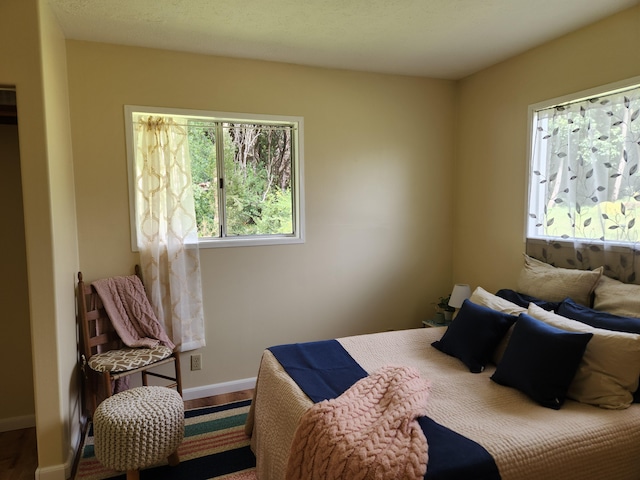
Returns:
<point x="246" y="176"/>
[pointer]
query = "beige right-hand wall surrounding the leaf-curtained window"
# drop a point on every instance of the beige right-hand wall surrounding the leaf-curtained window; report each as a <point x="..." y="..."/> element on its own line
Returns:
<point x="491" y="165"/>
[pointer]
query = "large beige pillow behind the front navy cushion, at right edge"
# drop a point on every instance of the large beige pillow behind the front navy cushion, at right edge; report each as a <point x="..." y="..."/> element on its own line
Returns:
<point x="609" y="370"/>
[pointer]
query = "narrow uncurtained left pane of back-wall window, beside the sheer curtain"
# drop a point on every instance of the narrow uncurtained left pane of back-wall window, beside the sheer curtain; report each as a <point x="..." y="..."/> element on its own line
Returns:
<point x="202" y="148"/>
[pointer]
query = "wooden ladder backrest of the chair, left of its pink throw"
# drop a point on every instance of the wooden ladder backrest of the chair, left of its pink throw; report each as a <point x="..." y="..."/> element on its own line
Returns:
<point x="98" y="334"/>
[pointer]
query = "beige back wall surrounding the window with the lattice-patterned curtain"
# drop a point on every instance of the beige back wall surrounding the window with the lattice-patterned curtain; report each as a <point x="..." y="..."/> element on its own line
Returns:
<point x="378" y="163"/>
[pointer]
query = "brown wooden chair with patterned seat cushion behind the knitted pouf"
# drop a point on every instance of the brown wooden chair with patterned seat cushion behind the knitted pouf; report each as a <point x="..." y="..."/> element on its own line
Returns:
<point x="106" y="359"/>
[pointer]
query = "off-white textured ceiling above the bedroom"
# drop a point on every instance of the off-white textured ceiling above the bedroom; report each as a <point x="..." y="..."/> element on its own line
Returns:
<point x="434" y="38"/>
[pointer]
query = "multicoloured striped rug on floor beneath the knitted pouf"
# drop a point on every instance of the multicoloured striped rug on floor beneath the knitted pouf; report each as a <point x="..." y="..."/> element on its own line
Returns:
<point x="214" y="447"/>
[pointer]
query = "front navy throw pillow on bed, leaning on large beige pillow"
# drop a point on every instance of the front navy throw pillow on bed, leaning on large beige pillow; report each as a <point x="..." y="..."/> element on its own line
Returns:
<point x="541" y="360"/>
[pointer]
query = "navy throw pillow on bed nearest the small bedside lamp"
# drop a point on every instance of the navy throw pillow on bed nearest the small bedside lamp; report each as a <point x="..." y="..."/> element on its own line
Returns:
<point x="474" y="334"/>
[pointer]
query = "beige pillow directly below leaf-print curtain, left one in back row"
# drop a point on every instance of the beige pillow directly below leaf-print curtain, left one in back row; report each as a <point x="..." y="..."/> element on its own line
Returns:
<point x="554" y="284"/>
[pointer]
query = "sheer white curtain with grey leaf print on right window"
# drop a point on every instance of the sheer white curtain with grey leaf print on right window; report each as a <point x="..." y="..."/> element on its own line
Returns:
<point x="584" y="198"/>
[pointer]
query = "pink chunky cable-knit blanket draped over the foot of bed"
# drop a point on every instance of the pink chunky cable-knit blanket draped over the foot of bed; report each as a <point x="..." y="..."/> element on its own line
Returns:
<point x="369" y="432"/>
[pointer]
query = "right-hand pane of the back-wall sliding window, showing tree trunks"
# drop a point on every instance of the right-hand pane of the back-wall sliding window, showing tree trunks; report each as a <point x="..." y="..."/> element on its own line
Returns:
<point x="258" y="193"/>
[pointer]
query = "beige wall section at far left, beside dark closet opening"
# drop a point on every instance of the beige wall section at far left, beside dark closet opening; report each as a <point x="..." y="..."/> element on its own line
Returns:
<point x="33" y="59"/>
